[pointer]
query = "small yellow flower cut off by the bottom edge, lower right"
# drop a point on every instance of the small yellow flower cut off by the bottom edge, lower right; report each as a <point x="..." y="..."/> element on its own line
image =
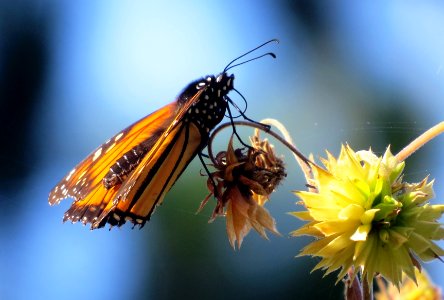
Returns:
<point x="424" y="289"/>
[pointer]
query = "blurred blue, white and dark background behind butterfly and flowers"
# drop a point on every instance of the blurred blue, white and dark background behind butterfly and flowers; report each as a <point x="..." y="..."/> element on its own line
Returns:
<point x="73" y="73"/>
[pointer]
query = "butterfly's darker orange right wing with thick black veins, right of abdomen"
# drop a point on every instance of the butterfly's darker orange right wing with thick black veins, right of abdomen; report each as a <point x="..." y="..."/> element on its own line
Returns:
<point x="155" y="175"/>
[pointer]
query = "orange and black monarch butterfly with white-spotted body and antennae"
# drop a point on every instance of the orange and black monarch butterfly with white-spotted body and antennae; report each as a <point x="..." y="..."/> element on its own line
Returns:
<point x="125" y="178"/>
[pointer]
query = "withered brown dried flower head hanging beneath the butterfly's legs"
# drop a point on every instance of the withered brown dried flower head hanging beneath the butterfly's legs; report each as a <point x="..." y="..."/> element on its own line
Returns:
<point x="244" y="181"/>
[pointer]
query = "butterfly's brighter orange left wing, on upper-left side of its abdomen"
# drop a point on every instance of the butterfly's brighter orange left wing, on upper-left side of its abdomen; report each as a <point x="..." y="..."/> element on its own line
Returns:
<point x="84" y="182"/>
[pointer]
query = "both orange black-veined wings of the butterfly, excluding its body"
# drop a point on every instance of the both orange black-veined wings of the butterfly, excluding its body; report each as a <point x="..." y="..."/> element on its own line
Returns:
<point x="97" y="205"/>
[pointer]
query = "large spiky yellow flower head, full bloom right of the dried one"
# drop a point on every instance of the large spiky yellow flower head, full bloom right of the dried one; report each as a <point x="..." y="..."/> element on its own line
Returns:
<point x="364" y="216"/>
